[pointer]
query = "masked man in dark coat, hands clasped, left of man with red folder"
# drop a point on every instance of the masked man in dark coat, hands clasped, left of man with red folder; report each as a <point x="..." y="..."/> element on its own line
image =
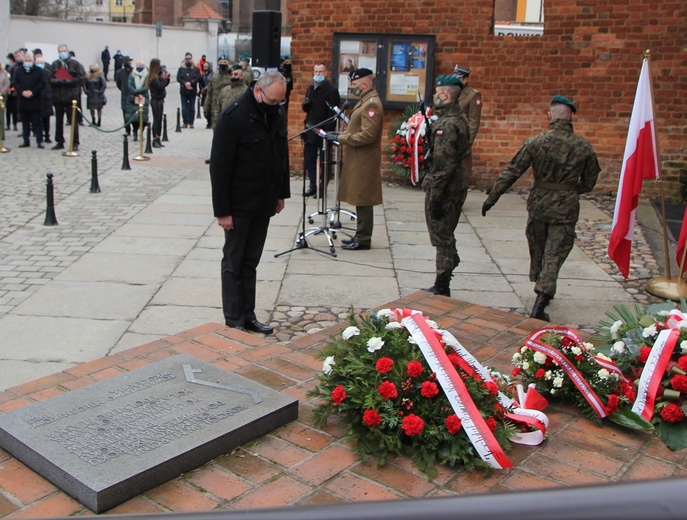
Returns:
<point x="29" y="83"/>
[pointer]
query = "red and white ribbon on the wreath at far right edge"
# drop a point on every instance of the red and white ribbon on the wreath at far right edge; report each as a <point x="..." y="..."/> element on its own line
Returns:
<point x="652" y="375"/>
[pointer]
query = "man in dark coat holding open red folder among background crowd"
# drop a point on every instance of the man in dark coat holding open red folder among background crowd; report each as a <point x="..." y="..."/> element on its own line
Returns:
<point x="67" y="79"/>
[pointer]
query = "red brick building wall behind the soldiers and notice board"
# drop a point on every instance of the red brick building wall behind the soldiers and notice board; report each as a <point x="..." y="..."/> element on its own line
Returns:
<point x="591" y="51"/>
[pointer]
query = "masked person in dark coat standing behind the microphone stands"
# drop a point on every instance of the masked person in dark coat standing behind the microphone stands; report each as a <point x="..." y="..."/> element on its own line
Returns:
<point x="318" y="98"/>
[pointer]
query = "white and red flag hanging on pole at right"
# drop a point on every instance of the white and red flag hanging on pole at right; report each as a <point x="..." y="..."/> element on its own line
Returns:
<point x="639" y="162"/>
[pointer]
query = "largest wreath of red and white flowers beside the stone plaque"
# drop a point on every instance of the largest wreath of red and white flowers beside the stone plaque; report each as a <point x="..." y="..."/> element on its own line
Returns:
<point x="406" y="388"/>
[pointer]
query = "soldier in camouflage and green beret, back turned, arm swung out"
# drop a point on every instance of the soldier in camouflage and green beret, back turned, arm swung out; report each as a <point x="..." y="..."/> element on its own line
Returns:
<point x="564" y="166"/>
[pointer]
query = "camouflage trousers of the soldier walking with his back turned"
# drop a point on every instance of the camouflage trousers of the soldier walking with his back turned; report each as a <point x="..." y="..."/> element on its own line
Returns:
<point x="550" y="245"/>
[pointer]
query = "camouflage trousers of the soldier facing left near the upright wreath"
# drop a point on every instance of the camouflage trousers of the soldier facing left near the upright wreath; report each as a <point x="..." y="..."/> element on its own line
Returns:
<point x="442" y="231"/>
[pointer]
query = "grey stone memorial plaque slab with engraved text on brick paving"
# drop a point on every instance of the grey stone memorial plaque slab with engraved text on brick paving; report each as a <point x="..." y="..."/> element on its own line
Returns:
<point x="108" y="442"/>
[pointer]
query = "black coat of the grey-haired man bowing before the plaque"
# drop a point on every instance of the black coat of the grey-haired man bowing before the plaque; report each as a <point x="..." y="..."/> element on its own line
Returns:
<point x="249" y="163"/>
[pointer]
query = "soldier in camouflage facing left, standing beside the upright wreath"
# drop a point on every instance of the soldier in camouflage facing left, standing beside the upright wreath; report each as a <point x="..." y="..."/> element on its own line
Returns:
<point x="445" y="184"/>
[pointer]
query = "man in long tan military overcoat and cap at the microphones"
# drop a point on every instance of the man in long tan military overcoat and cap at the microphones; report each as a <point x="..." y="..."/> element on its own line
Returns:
<point x="361" y="177"/>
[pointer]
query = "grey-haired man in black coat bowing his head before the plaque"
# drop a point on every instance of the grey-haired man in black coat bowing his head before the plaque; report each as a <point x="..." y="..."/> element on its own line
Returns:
<point x="249" y="172"/>
